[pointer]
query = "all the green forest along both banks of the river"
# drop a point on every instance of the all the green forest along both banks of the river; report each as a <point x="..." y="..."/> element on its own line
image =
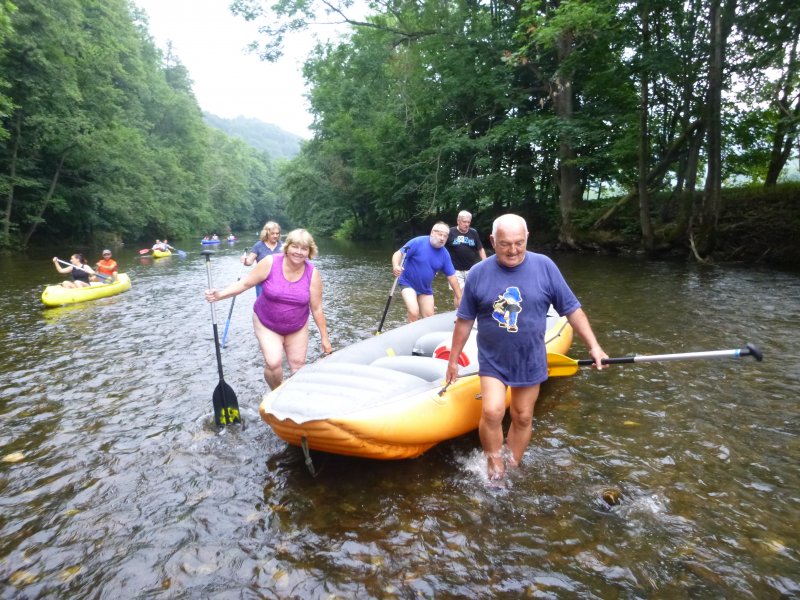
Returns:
<point x="577" y="114"/>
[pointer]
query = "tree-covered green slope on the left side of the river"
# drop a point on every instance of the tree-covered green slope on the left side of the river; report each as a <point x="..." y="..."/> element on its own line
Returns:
<point x="103" y="139"/>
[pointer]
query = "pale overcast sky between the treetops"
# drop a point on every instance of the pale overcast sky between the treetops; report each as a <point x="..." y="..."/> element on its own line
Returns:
<point x="228" y="81"/>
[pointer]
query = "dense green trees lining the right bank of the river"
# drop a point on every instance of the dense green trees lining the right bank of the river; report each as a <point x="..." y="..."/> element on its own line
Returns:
<point x="540" y="106"/>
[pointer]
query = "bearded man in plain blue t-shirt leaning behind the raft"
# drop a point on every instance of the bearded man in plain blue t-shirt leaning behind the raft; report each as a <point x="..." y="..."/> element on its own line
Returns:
<point x="416" y="264"/>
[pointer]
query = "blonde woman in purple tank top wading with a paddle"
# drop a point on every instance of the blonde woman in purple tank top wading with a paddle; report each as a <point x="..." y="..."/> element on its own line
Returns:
<point x="291" y="289"/>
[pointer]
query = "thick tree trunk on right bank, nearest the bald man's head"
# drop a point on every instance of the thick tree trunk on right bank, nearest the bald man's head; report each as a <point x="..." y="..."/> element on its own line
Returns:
<point x="568" y="177"/>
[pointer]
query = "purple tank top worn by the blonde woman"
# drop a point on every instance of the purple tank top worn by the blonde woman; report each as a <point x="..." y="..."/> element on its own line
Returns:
<point x="283" y="305"/>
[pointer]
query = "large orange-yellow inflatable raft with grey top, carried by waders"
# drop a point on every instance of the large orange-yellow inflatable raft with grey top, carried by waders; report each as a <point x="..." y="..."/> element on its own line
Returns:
<point x="383" y="397"/>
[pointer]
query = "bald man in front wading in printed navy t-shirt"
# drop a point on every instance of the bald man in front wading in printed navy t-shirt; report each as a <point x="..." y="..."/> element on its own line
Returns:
<point x="509" y="294"/>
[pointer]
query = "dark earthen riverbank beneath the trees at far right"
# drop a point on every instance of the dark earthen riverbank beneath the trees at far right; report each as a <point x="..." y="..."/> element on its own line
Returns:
<point x="756" y="225"/>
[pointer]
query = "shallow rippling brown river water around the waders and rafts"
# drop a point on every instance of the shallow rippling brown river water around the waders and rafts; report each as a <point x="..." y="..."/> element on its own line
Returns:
<point x="113" y="484"/>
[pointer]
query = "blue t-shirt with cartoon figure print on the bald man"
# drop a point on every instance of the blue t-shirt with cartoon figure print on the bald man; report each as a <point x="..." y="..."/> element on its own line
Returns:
<point x="511" y="306"/>
